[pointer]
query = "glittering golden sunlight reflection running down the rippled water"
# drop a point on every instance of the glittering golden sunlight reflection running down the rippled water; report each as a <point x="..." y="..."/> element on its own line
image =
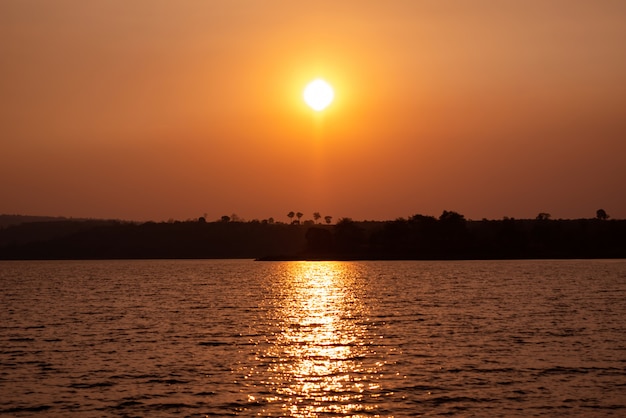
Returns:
<point x="322" y="358"/>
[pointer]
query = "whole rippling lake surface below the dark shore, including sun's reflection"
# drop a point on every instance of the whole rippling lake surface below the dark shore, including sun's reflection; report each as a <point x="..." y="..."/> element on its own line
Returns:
<point x="307" y="339"/>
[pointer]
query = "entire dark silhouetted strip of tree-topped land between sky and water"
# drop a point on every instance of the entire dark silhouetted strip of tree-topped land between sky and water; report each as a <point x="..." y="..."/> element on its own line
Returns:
<point x="450" y="236"/>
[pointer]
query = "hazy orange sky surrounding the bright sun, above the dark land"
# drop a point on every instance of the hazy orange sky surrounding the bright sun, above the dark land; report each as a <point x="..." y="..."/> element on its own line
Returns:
<point x="158" y="109"/>
